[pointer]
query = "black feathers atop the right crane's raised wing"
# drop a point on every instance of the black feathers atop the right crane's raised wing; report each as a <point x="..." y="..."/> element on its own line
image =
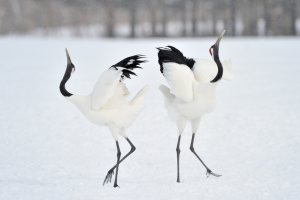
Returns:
<point x="171" y="54"/>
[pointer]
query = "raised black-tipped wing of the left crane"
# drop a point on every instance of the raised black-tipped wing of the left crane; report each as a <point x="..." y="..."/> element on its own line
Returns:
<point x="107" y="83"/>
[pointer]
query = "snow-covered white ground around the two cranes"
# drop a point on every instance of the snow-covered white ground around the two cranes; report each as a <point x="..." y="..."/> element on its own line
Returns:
<point x="48" y="150"/>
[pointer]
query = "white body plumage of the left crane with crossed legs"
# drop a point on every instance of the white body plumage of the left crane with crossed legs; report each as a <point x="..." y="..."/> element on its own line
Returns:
<point x="107" y="104"/>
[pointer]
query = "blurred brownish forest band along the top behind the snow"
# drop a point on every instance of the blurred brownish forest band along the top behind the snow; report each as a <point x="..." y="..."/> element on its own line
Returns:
<point x="149" y="18"/>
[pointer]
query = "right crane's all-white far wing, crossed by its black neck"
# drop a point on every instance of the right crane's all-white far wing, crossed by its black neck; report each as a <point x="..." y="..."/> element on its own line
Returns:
<point x="205" y="70"/>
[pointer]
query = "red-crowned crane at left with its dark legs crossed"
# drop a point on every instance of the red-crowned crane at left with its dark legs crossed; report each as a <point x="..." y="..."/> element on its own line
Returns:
<point x="107" y="104"/>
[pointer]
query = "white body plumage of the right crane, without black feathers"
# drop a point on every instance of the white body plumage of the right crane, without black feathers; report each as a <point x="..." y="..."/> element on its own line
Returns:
<point x="192" y="95"/>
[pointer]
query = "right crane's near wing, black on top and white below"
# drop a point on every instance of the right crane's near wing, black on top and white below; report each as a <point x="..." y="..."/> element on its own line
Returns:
<point x="177" y="70"/>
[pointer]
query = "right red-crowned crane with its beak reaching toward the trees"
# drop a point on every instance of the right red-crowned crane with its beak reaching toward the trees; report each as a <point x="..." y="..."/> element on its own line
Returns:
<point x="193" y="85"/>
